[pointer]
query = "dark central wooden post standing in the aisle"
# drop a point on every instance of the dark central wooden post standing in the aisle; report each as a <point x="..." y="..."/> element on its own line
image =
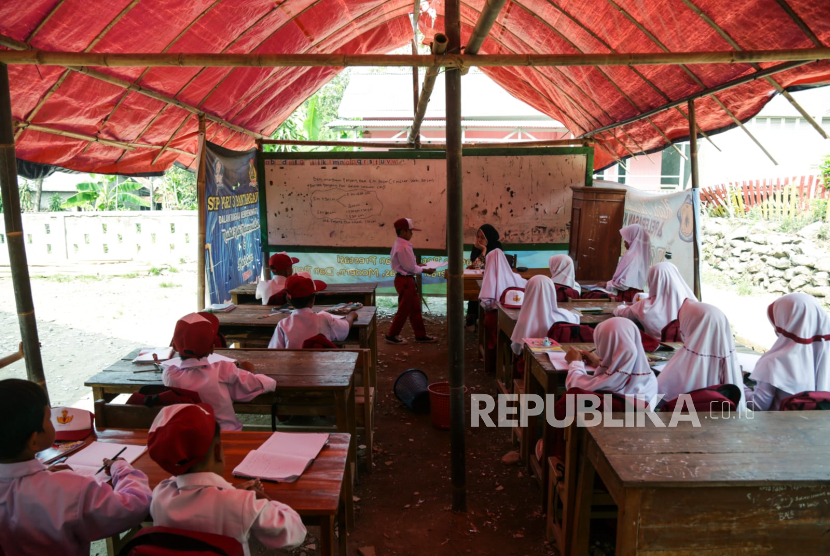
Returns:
<point x="455" y="270"/>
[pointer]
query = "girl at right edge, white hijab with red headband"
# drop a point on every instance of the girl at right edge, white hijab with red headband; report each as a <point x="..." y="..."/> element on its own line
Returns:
<point x="799" y="361"/>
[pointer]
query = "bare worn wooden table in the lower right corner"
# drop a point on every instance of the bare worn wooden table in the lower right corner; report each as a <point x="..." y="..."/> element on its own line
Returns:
<point x="757" y="485"/>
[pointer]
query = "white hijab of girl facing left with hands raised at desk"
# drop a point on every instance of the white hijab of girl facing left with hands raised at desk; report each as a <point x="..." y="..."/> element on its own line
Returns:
<point x="620" y="353"/>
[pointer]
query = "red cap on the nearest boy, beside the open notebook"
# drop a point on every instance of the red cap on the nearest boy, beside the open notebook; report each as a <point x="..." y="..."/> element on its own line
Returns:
<point x="180" y="436"/>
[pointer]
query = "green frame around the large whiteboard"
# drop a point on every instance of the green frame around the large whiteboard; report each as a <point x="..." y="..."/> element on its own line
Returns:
<point x="406" y="154"/>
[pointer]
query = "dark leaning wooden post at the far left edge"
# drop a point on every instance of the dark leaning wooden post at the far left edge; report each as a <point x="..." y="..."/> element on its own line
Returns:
<point x="14" y="237"/>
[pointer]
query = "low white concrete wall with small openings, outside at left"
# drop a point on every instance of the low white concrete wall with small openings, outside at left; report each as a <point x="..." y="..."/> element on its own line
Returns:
<point x="145" y="236"/>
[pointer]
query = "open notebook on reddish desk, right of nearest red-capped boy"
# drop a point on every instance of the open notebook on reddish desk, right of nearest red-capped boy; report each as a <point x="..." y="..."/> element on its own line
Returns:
<point x="283" y="457"/>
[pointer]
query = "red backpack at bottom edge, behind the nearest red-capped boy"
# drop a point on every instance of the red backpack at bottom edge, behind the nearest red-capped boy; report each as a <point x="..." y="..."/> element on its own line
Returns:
<point x="167" y="541"/>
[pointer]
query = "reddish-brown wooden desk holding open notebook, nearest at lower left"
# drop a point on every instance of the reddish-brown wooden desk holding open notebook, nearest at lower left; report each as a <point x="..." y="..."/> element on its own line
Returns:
<point x="319" y="495"/>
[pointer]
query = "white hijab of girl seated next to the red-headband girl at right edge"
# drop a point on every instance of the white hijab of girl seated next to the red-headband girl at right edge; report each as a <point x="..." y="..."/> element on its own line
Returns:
<point x="708" y="357"/>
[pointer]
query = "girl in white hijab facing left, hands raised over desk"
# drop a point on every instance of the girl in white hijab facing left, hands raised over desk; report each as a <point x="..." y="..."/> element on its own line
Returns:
<point x="622" y="365"/>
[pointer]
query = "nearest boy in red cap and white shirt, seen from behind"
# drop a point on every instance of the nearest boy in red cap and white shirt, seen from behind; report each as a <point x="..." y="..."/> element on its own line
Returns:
<point x="184" y="440"/>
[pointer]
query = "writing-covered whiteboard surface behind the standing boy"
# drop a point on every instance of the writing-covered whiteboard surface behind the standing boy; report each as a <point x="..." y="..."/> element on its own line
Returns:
<point x="353" y="202"/>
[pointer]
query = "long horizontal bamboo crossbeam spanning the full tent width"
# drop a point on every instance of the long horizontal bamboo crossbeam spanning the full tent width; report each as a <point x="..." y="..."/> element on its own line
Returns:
<point x="96" y="59"/>
